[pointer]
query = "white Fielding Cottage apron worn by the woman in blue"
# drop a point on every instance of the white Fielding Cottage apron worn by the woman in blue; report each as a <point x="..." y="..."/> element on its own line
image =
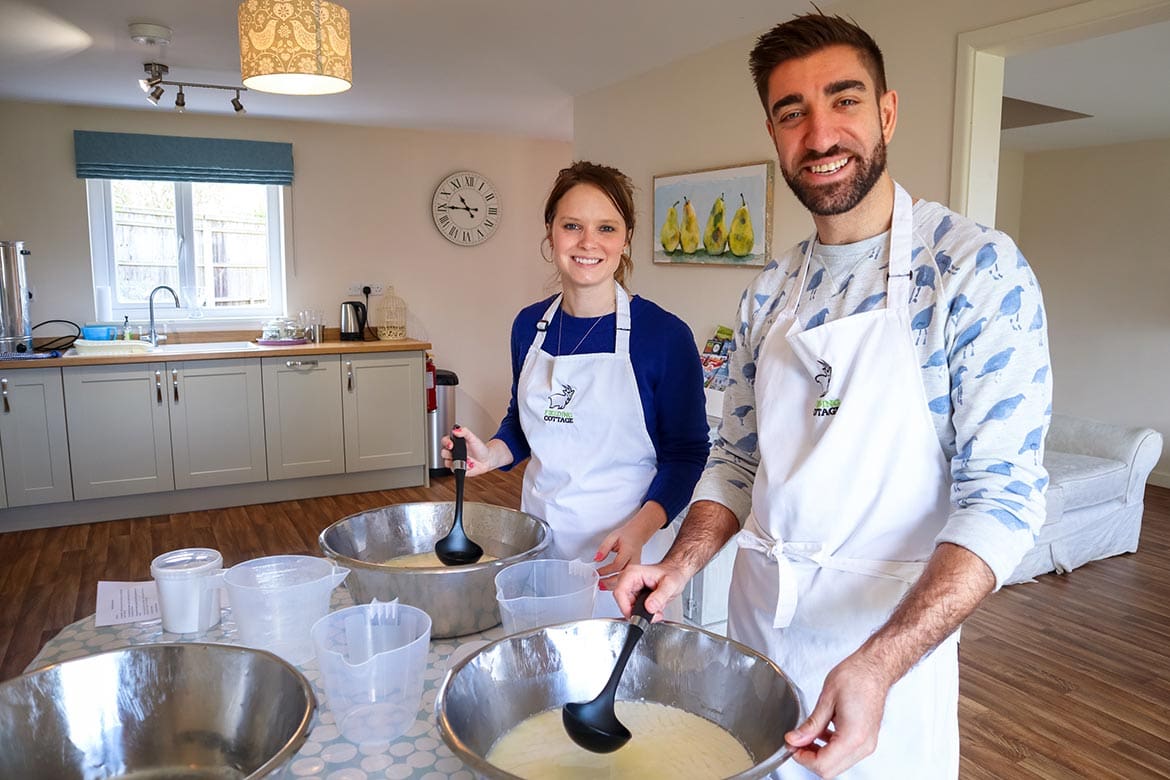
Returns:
<point x="593" y="459"/>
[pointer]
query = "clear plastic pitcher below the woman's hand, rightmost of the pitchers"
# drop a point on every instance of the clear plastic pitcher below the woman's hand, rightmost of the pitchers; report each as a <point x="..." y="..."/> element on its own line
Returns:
<point x="535" y="593"/>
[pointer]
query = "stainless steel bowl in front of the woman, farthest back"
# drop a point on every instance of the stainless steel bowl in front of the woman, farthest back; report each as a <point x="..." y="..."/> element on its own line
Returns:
<point x="460" y="599"/>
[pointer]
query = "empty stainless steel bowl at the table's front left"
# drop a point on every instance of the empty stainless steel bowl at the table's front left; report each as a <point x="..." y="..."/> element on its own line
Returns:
<point x="154" y="712"/>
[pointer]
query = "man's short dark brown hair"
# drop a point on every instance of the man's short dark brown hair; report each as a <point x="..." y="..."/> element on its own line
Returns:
<point x="808" y="34"/>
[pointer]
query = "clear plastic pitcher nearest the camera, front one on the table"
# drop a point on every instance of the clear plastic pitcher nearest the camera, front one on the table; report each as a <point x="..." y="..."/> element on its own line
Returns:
<point x="373" y="659"/>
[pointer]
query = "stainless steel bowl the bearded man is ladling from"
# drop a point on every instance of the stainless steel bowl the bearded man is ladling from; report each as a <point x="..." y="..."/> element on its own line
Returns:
<point x="494" y="689"/>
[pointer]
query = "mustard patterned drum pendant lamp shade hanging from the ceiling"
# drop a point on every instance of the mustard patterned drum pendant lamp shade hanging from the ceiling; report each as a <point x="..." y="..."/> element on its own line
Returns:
<point x="295" y="47"/>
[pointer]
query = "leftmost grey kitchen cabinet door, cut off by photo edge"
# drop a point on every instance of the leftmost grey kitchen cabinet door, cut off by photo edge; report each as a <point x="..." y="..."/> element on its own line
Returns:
<point x="33" y="440"/>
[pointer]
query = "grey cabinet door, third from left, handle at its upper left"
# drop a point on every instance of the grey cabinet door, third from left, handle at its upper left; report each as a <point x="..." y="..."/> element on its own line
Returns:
<point x="217" y="423"/>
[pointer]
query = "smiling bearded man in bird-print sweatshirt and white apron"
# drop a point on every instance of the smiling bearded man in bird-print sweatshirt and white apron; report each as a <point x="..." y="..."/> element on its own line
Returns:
<point x="883" y="436"/>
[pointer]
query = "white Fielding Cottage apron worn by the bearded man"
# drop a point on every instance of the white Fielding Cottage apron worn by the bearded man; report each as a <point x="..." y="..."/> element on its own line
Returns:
<point x="851" y="493"/>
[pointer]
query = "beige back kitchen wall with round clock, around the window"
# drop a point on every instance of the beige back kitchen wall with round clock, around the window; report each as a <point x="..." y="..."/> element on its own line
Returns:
<point x="361" y="208"/>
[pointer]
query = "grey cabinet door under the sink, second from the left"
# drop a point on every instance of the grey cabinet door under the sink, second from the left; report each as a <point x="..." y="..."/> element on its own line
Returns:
<point x="120" y="431"/>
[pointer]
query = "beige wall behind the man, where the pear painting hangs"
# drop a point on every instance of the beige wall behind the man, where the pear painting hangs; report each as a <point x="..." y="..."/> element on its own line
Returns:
<point x="704" y="113"/>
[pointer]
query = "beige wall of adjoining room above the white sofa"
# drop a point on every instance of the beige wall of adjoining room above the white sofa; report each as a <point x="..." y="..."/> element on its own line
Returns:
<point x="1093" y="224"/>
